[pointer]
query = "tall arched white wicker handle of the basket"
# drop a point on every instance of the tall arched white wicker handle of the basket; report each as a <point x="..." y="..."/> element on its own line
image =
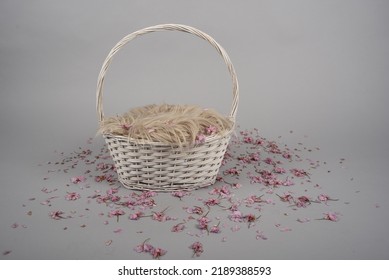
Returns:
<point x="166" y="27"/>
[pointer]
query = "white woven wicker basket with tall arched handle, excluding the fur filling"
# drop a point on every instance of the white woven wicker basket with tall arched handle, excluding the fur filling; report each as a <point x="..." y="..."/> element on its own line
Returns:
<point x="158" y="166"/>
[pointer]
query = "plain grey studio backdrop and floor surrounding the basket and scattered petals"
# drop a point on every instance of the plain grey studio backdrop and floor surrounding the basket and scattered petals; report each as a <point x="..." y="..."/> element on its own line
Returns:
<point x="311" y="72"/>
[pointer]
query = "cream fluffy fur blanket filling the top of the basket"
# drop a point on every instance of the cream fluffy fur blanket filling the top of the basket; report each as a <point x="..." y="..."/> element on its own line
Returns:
<point x="179" y="125"/>
